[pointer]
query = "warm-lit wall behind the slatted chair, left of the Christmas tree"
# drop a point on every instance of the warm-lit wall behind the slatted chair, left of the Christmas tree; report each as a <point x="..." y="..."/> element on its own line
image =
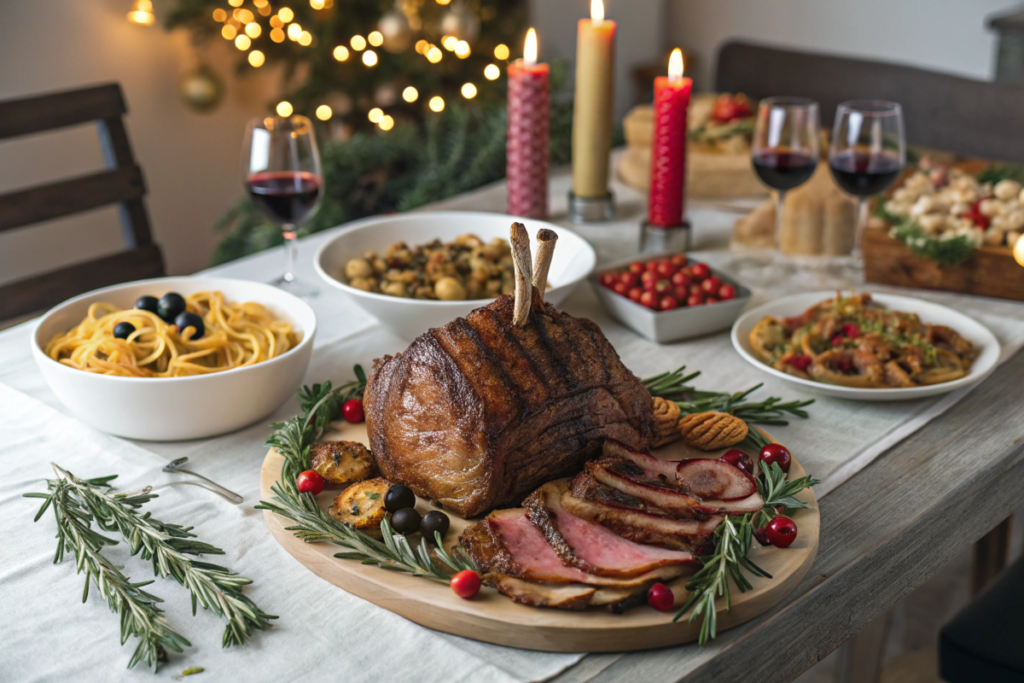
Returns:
<point x="191" y="161"/>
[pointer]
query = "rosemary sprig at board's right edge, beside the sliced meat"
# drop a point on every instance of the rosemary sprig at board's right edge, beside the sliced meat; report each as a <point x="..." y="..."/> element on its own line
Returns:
<point x="733" y="545"/>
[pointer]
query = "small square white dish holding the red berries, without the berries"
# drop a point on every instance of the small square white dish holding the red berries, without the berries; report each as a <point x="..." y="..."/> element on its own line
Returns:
<point x="663" y="327"/>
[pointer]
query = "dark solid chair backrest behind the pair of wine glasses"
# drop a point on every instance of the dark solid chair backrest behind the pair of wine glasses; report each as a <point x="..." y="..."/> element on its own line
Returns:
<point x="968" y="117"/>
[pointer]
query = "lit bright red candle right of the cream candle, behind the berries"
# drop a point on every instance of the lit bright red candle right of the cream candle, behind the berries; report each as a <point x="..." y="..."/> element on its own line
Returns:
<point x="668" y="172"/>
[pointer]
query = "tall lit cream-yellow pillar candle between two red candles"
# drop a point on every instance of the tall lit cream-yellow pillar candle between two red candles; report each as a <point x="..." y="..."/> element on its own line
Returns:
<point x="593" y="106"/>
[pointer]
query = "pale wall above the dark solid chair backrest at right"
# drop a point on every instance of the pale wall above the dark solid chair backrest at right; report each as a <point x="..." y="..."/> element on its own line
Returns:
<point x="943" y="35"/>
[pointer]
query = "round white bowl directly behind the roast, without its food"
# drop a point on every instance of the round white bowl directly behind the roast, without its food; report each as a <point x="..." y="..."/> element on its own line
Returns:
<point x="573" y="262"/>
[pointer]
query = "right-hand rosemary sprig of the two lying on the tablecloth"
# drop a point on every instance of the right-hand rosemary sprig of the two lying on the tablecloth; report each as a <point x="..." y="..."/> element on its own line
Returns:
<point x="217" y="588"/>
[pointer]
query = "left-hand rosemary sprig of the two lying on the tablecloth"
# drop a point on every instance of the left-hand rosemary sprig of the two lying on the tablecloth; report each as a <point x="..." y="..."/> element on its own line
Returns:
<point x="141" y="616"/>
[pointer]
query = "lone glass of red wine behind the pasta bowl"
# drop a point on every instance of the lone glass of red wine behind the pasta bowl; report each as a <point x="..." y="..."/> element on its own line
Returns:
<point x="282" y="170"/>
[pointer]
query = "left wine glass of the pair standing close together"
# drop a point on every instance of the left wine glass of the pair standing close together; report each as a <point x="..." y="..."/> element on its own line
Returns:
<point x="785" y="148"/>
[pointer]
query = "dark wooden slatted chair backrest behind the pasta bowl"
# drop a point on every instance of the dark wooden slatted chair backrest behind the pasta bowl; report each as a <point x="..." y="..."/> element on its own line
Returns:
<point x="121" y="184"/>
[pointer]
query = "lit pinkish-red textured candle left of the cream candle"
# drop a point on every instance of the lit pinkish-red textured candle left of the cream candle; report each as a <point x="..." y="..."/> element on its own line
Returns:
<point x="527" y="152"/>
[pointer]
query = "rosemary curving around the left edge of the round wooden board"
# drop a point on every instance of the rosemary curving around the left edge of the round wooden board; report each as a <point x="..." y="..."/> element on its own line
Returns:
<point x="320" y="404"/>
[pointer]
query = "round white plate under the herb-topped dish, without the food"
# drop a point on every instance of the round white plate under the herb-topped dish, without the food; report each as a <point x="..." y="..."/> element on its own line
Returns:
<point x="970" y="329"/>
